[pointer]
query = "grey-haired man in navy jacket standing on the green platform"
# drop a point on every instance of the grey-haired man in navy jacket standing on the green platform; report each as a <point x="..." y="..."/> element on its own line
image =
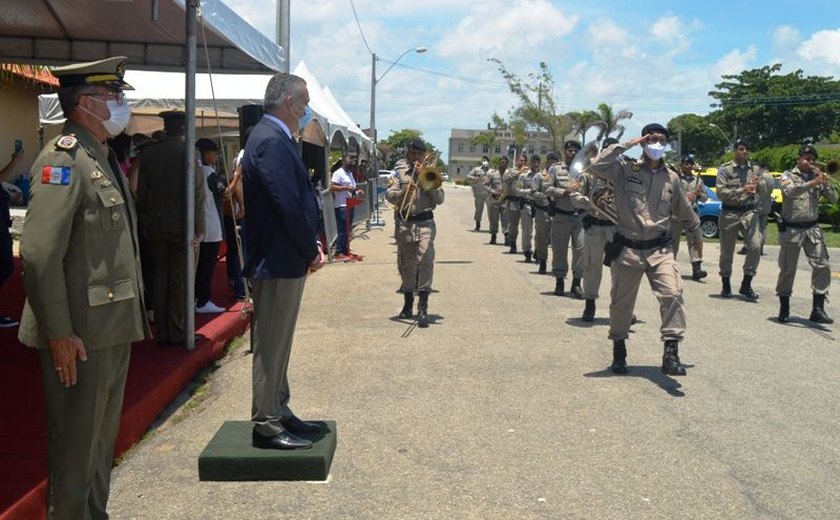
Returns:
<point x="281" y="227"/>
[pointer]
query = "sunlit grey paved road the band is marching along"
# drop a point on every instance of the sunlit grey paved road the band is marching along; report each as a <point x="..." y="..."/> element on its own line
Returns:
<point x="503" y="408"/>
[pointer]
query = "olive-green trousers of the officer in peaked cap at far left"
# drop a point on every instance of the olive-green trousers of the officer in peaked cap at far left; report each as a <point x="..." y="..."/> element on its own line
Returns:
<point x="82" y="425"/>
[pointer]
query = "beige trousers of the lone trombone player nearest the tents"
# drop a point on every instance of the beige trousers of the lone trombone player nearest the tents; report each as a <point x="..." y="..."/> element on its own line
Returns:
<point x="416" y="254"/>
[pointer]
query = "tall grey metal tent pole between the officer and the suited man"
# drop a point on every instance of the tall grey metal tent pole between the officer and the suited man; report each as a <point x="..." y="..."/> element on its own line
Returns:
<point x="189" y="167"/>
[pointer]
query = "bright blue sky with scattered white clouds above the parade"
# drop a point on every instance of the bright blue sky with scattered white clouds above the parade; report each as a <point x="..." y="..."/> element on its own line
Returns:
<point x="656" y="59"/>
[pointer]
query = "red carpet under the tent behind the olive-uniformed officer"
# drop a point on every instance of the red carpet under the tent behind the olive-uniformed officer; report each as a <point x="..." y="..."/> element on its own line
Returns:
<point x="156" y="375"/>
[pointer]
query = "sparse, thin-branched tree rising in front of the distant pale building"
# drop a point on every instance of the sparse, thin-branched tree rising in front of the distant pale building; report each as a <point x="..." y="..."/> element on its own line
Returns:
<point x="537" y="106"/>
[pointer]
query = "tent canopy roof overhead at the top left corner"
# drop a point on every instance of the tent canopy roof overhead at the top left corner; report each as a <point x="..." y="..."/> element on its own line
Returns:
<point x="150" y="32"/>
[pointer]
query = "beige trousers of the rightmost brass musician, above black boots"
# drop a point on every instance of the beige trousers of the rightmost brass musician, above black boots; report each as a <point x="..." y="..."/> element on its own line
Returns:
<point x="812" y="240"/>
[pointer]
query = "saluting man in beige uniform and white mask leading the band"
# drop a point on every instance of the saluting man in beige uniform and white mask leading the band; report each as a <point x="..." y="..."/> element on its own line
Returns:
<point x="647" y="195"/>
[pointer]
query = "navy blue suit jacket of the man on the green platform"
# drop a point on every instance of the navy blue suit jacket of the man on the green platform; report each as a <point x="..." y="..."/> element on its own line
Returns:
<point x="281" y="215"/>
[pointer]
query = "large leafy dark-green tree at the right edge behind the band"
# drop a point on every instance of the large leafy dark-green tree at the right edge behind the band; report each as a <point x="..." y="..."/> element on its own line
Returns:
<point x="769" y="108"/>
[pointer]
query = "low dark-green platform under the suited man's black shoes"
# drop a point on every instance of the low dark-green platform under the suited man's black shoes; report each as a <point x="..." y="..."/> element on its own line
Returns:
<point x="229" y="456"/>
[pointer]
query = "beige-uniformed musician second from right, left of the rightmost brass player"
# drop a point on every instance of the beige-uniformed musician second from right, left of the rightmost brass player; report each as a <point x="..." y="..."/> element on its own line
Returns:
<point x="739" y="186"/>
